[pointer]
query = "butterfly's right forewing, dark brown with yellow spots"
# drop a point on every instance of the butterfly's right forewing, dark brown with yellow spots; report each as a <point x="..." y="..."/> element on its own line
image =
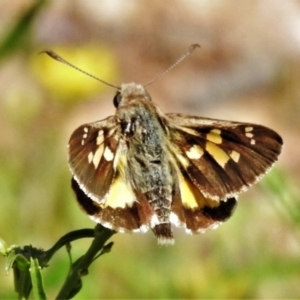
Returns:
<point x="222" y="158"/>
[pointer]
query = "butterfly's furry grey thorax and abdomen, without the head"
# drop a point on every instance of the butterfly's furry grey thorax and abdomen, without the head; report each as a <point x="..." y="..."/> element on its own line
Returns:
<point x="149" y="170"/>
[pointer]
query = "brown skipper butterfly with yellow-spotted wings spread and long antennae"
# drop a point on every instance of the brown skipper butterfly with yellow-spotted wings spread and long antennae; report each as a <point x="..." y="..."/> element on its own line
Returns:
<point x="142" y="169"/>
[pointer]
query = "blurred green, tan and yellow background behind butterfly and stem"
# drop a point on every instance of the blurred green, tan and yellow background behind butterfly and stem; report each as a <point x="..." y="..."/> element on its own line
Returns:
<point x="246" y="70"/>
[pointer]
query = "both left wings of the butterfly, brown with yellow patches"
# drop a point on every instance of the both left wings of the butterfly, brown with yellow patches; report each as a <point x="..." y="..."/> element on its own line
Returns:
<point x="97" y="159"/>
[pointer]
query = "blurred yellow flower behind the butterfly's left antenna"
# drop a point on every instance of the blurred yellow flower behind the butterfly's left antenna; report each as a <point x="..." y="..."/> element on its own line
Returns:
<point x="67" y="84"/>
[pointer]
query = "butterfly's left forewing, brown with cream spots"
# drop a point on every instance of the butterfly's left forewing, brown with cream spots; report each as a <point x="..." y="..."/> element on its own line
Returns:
<point x="92" y="155"/>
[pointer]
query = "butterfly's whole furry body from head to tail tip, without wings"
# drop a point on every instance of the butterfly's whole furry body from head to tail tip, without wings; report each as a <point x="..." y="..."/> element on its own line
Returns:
<point x="143" y="141"/>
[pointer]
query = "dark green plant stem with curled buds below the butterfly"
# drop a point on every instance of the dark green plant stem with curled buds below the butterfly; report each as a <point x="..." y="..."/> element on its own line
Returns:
<point x="27" y="263"/>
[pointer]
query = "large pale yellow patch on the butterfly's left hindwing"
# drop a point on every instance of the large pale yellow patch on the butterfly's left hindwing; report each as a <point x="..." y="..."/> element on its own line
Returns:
<point x="120" y="195"/>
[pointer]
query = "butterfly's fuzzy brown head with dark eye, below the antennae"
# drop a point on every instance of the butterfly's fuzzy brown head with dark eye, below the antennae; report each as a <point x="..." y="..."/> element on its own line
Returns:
<point x="130" y="92"/>
